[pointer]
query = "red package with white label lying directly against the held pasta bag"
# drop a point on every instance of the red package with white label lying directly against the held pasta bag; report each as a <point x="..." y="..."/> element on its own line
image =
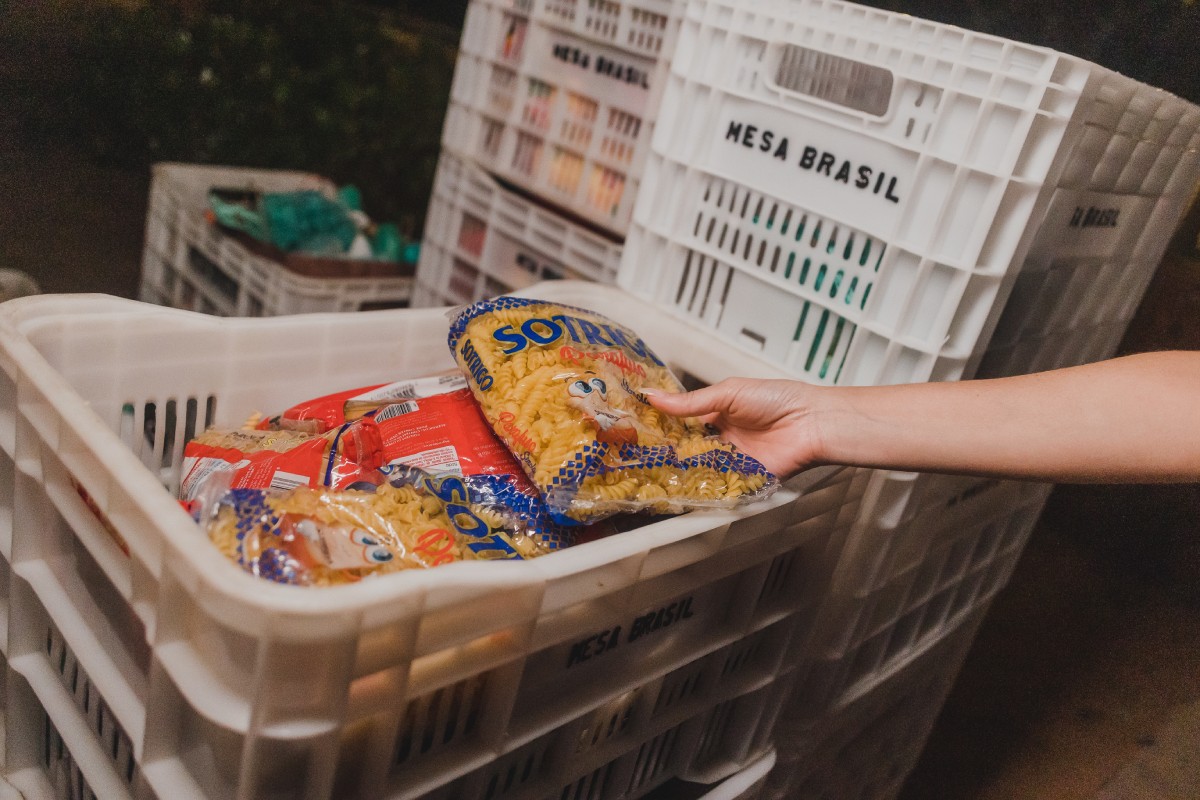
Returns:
<point x="435" y="425"/>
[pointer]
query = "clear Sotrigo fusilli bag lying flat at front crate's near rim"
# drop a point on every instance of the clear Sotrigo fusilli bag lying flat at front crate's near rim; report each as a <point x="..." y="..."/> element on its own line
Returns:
<point x="317" y="537"/>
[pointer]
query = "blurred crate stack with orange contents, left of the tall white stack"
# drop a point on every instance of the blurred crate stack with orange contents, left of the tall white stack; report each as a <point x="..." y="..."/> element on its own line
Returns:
<point x="549" y="124"/>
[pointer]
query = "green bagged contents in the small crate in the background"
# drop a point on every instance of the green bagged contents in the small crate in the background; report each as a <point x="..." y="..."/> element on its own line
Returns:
<point x="311" y="233"/>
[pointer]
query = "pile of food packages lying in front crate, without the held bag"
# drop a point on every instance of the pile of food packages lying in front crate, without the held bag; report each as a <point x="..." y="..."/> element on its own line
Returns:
<point x="367" y="483"/>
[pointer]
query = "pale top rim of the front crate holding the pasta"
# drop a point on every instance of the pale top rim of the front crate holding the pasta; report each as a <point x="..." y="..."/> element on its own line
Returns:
<point x="218" y="578"/>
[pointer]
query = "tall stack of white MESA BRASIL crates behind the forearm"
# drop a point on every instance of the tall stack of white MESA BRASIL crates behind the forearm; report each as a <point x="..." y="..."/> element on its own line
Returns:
<point x="863" y="199"/>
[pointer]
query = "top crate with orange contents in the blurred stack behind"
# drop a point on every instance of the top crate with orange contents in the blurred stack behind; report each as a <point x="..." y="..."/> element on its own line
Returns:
<point x="560" y="98"/>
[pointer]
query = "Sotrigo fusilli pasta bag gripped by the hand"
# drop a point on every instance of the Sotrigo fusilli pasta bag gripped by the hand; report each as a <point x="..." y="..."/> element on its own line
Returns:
<point x="563" y="389"/>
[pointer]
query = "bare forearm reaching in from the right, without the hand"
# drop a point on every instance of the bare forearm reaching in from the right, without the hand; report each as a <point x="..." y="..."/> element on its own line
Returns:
<point x="1133" y="419"/>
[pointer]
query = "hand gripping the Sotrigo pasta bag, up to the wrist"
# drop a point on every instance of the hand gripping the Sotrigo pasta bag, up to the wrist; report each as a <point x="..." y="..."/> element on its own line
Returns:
<point x="770" y="420"/>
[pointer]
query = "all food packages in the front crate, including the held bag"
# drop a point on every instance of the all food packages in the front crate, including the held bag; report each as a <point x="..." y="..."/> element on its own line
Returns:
<point x="547" y="442"/>
